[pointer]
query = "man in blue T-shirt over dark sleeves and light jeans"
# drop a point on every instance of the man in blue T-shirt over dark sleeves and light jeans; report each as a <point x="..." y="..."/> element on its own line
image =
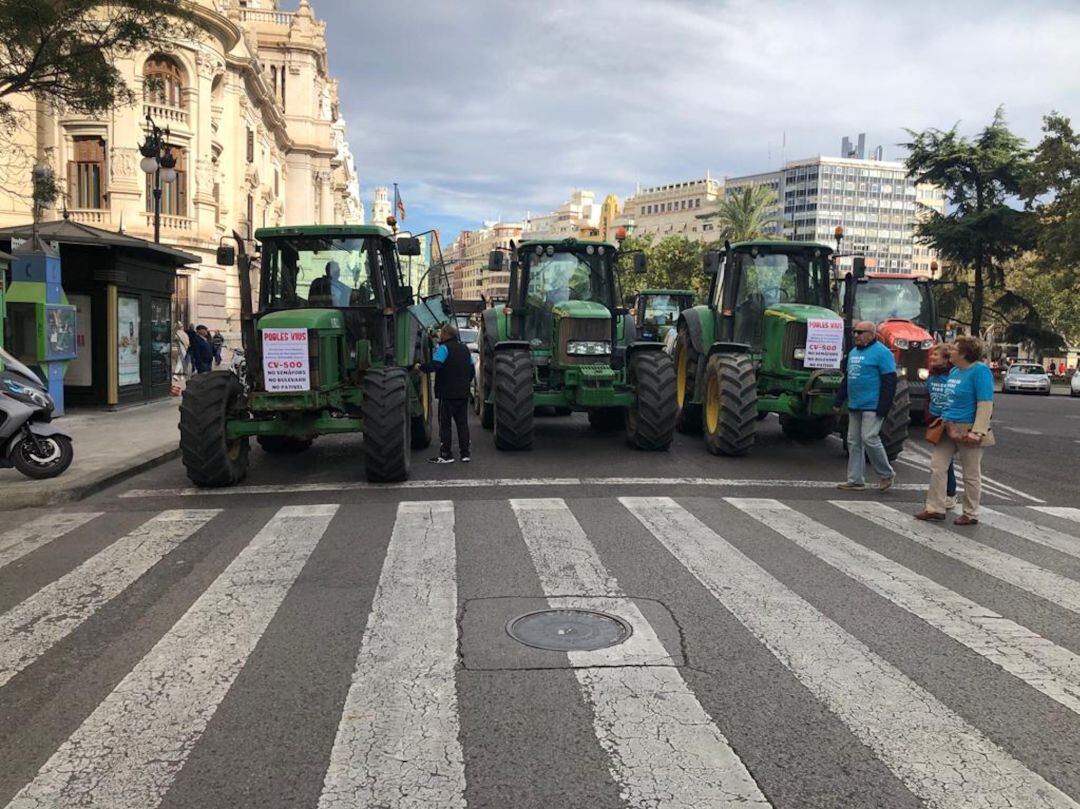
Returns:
<point x="869" y="387"/>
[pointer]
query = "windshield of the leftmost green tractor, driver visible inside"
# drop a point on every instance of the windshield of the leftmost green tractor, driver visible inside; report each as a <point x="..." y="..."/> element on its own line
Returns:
<point x="322" y="273"/>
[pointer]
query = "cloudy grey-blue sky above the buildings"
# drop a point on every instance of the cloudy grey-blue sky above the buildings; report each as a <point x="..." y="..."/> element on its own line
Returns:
<point x="482" y="110"/>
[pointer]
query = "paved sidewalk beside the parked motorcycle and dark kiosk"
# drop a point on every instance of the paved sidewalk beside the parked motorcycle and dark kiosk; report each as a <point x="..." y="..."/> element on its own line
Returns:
<point x="110" y="447"/>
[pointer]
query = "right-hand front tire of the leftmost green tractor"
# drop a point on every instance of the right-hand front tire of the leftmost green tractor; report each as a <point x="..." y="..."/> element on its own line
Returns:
<point x="388" y="426"/>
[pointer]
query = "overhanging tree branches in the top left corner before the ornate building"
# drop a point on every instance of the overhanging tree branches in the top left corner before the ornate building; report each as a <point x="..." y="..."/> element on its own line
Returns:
<point x="64" y="52"/>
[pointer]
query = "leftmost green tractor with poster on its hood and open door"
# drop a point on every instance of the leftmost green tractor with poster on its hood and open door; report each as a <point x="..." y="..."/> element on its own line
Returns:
<point x="330" y="350"/>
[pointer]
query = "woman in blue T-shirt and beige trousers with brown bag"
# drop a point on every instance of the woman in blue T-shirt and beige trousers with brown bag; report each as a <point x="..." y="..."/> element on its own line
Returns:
<point x="967" y="420"/>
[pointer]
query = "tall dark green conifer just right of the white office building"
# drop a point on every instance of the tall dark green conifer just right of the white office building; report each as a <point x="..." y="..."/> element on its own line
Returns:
<point x="981" y="232"/>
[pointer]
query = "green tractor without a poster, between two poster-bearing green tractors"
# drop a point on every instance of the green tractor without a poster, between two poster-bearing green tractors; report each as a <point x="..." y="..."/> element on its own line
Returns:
<point x="563" y="343"/>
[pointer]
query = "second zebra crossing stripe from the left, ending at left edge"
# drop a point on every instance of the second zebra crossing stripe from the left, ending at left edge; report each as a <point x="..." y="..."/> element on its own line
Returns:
<point x="32" y="628"/>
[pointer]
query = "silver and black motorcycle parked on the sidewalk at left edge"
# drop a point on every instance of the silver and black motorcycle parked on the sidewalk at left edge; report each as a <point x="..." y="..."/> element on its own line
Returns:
<point x="29" y="442"/>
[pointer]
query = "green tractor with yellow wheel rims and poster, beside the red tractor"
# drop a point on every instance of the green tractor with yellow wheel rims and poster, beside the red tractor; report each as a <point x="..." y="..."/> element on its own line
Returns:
<point x="746" y="354"/>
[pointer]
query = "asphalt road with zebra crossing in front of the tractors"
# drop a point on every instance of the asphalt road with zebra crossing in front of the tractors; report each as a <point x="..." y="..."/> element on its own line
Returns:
<point x="310" y="641"/>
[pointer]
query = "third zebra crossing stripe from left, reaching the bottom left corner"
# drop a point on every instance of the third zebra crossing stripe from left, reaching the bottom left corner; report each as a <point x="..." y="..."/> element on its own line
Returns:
<point x="128" y="752"/>
